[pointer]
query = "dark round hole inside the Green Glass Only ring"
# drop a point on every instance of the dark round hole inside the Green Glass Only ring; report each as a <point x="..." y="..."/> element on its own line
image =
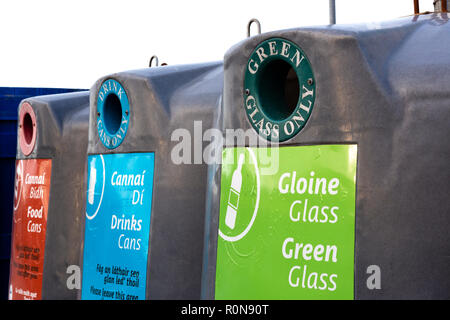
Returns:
<point x="278" y="89"/>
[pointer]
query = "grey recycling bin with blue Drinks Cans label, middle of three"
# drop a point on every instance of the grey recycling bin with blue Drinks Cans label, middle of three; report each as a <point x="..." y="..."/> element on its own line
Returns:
<point x="145" y="197"/>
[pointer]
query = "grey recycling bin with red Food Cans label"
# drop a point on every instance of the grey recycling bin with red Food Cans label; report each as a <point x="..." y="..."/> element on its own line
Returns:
<point x="49" y="197"/>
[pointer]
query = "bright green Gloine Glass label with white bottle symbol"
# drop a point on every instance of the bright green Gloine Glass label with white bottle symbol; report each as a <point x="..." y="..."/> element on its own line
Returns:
<point x="287" y="232"/>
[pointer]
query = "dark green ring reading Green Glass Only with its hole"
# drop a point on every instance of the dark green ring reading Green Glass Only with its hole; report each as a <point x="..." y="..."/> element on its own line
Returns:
<point x="279" y="89"/>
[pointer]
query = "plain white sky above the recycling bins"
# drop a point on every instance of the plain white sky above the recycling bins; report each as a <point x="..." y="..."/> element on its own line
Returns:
<point x="70" y="44"/>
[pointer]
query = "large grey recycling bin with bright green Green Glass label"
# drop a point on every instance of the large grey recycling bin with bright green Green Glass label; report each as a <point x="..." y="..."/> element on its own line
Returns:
<point x="352" y="198"/>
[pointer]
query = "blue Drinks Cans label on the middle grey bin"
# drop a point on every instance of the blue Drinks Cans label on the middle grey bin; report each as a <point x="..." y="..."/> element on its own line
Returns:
<point x="118" y="210"/>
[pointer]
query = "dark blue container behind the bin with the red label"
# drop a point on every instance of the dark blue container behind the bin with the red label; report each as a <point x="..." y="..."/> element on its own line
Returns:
<point x="10" y="98"/>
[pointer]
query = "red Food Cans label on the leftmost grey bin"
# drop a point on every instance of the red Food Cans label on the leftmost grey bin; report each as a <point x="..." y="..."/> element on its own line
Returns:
<point x="31" y="195"/>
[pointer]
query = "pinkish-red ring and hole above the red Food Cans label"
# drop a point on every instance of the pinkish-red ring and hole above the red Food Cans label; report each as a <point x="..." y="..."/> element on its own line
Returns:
<point x="27" y="128"/>
